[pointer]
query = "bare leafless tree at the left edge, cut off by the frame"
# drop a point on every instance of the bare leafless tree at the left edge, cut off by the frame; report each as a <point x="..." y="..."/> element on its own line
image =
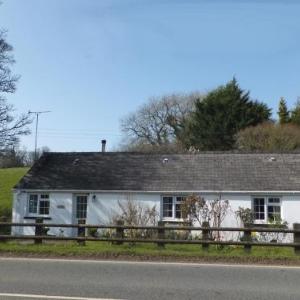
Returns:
<point x="11" y="127"/>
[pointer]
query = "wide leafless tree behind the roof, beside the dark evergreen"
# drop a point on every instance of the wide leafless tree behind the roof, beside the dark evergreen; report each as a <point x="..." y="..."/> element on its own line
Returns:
<point x="158" y="122"/>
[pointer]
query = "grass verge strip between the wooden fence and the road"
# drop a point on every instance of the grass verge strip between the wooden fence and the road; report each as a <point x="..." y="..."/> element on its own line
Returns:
<point x="145" y="251"/>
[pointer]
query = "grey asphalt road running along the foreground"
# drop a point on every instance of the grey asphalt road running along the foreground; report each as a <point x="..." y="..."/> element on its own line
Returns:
<point x="129" y="280"/>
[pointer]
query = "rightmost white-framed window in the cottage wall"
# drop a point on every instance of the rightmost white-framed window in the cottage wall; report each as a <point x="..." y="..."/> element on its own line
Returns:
<point x="267" y="209"/>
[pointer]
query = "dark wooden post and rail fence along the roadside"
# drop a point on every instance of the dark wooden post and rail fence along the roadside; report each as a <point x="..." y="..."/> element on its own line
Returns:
<point x="161" y="238"/>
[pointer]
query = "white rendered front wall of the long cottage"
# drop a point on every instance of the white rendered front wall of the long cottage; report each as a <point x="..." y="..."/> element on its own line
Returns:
<point x="103" y="206"/>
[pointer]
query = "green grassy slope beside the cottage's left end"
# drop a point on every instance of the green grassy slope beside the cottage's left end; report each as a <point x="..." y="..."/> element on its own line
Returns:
<point x="8" y="178"/>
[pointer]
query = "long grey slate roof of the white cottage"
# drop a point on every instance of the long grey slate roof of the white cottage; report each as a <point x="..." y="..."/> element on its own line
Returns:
<point x="146" y="172"/>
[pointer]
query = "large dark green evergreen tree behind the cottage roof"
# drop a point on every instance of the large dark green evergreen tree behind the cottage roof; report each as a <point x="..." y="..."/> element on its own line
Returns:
<point x="221" y="114"/>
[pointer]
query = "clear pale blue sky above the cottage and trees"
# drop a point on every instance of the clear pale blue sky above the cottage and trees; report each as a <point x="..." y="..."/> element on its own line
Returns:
<point x="92" y="61"/>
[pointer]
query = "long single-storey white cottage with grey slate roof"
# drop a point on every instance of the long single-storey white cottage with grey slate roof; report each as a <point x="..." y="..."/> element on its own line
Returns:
<point x="72" y="187"/>
